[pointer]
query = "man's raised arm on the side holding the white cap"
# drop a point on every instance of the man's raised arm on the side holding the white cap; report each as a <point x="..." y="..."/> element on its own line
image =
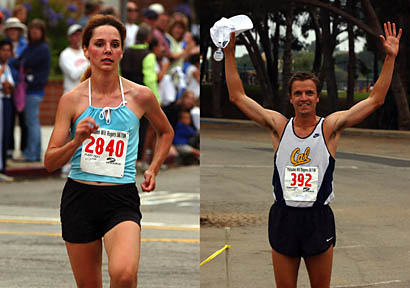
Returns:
<point x="268" y="118"/>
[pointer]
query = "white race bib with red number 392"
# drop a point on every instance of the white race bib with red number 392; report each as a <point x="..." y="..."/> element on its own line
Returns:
<point x="301" y="183"/>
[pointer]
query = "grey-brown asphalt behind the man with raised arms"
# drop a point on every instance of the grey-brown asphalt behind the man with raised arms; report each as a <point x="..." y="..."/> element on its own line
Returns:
<point x="371" y="208"/>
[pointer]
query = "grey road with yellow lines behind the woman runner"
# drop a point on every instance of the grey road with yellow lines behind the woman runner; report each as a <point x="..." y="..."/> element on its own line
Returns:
<point x="32" y="252"/>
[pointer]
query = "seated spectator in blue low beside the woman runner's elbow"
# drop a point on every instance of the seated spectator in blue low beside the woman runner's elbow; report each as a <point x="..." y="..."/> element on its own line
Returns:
<point x="184" y="134"/>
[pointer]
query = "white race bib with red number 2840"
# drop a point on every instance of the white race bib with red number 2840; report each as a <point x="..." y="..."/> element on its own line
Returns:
<point x="104" y="153"/>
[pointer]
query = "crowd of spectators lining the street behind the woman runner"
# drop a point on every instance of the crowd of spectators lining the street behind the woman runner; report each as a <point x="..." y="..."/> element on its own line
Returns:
<point x="160" y="52"/>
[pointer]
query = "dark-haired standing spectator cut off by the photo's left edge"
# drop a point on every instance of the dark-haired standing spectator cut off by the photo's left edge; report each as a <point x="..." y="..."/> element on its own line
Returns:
<point x="6" y="104"/>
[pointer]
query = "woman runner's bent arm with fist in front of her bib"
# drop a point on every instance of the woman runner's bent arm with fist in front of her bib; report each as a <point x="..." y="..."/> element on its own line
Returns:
<point x="59" y="151"/>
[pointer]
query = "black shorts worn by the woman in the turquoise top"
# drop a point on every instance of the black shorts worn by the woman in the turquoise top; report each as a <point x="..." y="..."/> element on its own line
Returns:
<point x="89" y="211"/>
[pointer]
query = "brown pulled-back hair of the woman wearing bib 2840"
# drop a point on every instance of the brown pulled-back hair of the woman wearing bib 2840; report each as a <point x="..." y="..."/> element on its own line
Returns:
<point x="97" y="21"/>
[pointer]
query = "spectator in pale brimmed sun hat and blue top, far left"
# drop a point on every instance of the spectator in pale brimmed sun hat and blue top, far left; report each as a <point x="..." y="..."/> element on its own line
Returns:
<point x="15" y="31"/>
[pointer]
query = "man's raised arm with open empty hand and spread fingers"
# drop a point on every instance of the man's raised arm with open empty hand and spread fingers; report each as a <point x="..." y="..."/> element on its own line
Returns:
<point x="357" y="113"/>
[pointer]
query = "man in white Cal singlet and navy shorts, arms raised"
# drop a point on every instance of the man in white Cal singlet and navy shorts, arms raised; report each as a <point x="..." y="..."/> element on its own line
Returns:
<point x="301" y="223"/>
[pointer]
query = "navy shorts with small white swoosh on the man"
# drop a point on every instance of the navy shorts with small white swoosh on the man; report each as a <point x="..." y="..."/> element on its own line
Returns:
<point x="301" y="232"/>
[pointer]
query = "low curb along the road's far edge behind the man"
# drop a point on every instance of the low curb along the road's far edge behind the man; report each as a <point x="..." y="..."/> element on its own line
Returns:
<point x="214" y="122"/>
